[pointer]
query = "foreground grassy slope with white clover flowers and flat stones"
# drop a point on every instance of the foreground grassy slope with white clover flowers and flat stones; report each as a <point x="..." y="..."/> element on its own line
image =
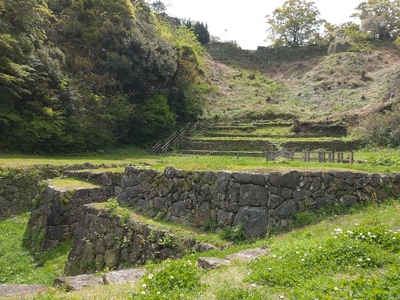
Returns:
<point x="342" y="257"/>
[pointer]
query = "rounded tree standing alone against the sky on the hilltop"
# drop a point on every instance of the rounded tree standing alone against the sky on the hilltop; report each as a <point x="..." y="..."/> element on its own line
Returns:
<point x="294" y="24"/>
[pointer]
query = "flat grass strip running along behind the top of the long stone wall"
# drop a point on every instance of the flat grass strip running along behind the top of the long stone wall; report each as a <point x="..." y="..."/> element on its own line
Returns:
<point x="200" y="162"/>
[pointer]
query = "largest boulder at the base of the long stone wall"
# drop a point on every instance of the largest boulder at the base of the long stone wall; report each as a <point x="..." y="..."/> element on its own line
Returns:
<point x="254" y="221"/>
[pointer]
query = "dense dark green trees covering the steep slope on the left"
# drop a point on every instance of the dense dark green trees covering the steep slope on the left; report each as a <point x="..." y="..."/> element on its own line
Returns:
<point x="83" y="75"/>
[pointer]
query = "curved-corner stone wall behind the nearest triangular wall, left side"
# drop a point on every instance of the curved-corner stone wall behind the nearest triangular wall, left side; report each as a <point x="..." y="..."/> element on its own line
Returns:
<point x="56" y="213"/>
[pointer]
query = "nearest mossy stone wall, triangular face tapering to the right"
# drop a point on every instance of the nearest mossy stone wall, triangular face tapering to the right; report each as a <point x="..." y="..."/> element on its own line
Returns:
<point x="104" y="240"/>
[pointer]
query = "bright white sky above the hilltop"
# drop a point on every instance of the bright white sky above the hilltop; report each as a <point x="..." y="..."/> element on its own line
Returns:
<point x="244" y="21"/>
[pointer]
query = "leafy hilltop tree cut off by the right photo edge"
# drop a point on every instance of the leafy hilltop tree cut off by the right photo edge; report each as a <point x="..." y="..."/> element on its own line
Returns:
<point x="381" y="18"/>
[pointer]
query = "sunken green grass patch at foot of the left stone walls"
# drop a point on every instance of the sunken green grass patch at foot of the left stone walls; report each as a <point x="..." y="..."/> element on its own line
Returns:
<point x="17" y="265"/>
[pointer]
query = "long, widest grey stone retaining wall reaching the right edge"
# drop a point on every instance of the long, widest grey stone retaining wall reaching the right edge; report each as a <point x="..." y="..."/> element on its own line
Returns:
<point x="256" y="201"/>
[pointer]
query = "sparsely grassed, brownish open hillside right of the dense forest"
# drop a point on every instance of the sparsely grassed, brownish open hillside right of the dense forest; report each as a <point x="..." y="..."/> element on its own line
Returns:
<point x="346" y="85"/>
